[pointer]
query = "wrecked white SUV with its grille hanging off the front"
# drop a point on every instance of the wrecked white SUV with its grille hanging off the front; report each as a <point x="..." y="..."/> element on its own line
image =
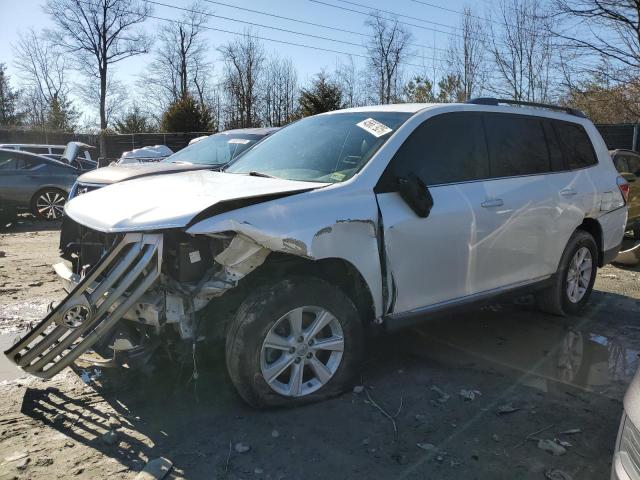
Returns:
<point x="375" y="215"/>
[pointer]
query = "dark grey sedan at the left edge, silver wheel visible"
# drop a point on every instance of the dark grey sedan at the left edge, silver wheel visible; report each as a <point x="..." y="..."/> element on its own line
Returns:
<point x="34" y="183"/>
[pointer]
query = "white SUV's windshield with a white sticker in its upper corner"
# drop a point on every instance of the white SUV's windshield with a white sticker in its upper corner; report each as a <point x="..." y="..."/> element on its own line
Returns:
<point x="324" y="148"/>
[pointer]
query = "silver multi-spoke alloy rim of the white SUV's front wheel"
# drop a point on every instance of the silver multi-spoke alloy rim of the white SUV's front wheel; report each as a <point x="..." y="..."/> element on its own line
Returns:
<point x="302" y="351"/>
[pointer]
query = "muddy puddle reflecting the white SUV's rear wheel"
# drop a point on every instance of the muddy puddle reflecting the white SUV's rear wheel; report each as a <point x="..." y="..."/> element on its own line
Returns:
<point x="542" y="354"/>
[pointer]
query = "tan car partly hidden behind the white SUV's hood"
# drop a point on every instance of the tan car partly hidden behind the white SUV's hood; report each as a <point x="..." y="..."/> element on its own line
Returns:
<point x="213" y="152"/>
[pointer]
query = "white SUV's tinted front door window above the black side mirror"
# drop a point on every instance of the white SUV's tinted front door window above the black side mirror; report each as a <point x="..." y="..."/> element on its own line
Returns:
<point x="448" y="148"/>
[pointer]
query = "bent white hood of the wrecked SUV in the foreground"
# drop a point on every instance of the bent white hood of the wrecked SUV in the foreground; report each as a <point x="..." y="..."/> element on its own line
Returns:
<point x="170" y="201"/>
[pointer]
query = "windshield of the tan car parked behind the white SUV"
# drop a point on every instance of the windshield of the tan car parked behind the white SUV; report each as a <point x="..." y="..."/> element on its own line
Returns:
<point x="217" y="149"/>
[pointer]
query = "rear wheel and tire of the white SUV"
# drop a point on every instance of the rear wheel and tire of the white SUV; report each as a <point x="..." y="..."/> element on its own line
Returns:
<point x="557" y="300"/>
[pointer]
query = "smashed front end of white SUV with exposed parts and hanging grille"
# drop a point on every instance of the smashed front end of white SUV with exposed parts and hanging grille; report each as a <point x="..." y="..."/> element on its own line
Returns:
<point x="154" y="282"/>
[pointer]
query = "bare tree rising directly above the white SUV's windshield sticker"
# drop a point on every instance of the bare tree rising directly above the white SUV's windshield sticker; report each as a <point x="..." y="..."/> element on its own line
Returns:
<point x="387" y="50"/>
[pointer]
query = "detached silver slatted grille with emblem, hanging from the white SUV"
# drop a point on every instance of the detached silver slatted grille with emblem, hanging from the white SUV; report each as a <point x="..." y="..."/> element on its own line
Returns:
<point x="92" y="308"/>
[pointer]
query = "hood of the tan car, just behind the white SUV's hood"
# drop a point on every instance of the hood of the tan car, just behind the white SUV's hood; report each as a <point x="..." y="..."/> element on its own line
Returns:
<point x="118" y="173"/>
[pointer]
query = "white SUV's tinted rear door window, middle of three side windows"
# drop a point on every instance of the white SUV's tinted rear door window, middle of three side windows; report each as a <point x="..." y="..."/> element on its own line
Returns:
<point x="517" y="145"/>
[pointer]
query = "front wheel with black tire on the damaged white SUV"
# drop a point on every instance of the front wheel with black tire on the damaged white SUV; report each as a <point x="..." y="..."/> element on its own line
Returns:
<point x="272" y="310"/>
